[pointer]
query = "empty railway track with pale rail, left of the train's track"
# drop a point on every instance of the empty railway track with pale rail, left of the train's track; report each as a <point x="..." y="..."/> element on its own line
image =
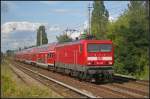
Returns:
<point x="55" y="83"/>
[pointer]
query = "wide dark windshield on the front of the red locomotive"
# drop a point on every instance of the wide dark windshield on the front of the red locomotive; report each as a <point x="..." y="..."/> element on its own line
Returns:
<point x="99" y="47"/>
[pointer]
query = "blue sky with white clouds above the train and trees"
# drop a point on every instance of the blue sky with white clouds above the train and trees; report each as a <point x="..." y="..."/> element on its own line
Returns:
<point x="21" y="19"/>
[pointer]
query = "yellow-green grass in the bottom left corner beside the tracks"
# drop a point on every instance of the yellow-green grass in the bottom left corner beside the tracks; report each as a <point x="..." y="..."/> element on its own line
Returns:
<point x="12" y="88"/>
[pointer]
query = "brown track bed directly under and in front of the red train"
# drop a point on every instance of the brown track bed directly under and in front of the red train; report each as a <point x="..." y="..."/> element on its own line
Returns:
<point x="115" y="89"/>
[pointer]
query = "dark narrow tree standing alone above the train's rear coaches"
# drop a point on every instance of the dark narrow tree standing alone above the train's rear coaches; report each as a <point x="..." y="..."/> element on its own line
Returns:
<point x="40" y="31"/>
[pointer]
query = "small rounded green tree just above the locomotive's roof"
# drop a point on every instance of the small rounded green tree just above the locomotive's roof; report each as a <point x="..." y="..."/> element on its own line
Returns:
<point x="63" y="38"/>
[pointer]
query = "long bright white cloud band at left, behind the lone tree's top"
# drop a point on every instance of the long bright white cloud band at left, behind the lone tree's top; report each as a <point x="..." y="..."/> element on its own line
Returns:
<point x="24" y="26"/>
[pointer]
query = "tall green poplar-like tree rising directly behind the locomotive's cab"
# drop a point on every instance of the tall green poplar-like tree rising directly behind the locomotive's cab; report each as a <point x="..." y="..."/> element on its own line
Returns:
<point x="99" y="20"/>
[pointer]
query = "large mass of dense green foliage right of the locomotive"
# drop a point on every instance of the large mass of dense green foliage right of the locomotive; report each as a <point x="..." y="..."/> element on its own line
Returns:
<point x="130" y="34"/>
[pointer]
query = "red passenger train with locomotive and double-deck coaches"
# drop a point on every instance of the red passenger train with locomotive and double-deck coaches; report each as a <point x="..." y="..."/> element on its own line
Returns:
<point x="86" y="59"/>
